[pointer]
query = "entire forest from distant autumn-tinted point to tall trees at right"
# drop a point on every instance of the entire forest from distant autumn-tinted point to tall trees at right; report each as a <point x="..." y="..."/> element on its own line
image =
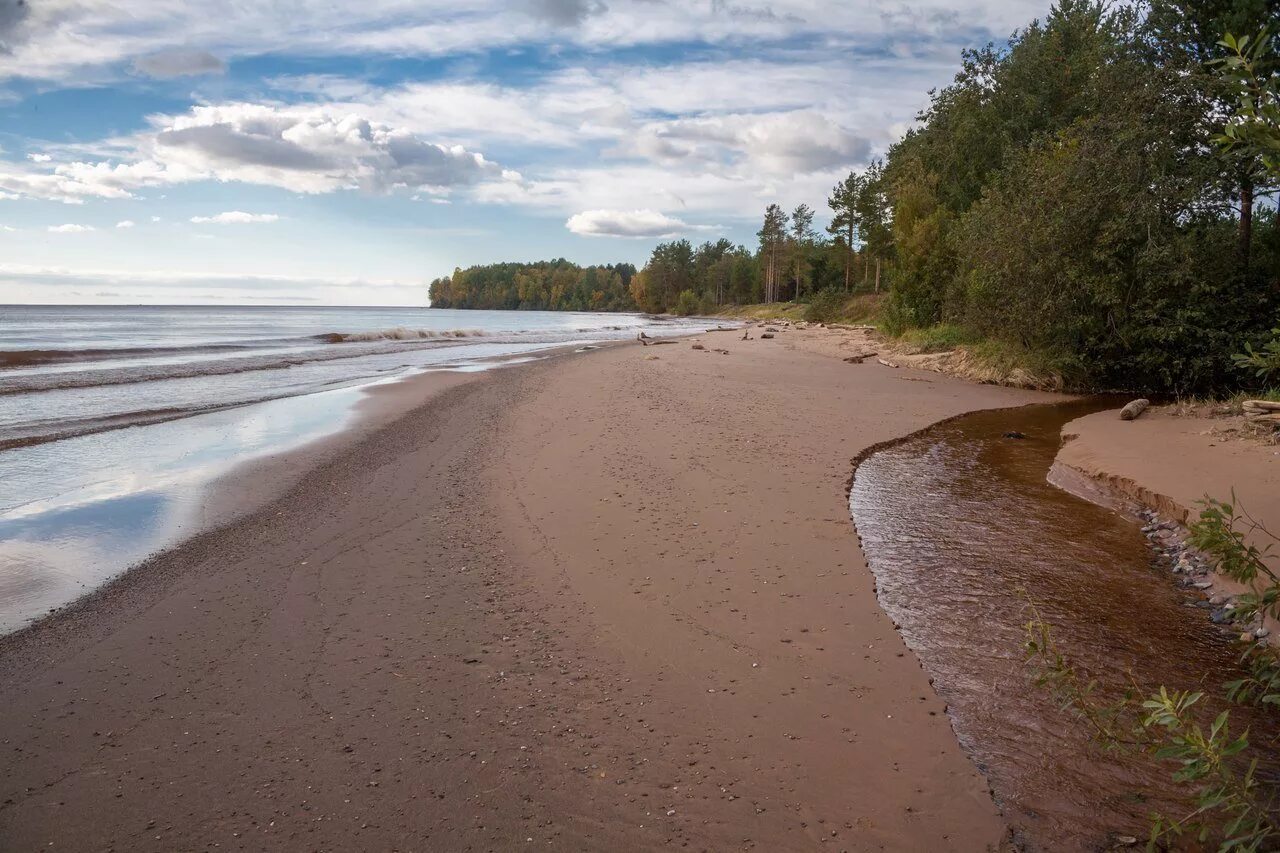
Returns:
<point x="1086" y="195"/>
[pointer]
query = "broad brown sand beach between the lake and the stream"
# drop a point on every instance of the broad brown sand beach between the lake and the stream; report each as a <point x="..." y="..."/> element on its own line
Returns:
<point x="610" y="601"/>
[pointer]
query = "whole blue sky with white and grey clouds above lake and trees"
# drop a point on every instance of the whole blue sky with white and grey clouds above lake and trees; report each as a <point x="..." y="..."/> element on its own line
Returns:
<point x="304" y="152"/>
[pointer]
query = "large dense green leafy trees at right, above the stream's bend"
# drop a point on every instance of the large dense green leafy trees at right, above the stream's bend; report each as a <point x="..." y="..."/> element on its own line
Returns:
<point x="1064" y="197"/>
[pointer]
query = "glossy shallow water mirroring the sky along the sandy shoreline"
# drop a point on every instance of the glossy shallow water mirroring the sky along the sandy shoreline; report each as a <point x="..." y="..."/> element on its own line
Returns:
<point x="76" y="513"/>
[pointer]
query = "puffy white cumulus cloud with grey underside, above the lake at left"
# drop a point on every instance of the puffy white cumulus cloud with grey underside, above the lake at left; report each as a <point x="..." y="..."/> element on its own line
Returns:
<point x="303" y="149"/>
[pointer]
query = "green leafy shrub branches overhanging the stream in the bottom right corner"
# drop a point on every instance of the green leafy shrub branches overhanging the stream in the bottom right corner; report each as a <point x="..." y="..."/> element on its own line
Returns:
<point x="1233" y="808"/>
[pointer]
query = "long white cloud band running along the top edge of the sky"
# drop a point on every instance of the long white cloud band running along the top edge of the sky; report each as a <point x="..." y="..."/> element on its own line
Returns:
<point x="58" y="40"/>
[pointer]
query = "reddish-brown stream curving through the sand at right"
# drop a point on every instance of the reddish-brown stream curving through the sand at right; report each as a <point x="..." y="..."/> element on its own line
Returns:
<point x="962" y="528"/>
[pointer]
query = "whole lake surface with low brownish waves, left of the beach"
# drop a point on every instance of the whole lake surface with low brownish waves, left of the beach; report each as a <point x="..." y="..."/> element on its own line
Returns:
<point x="116" y="419"/>
